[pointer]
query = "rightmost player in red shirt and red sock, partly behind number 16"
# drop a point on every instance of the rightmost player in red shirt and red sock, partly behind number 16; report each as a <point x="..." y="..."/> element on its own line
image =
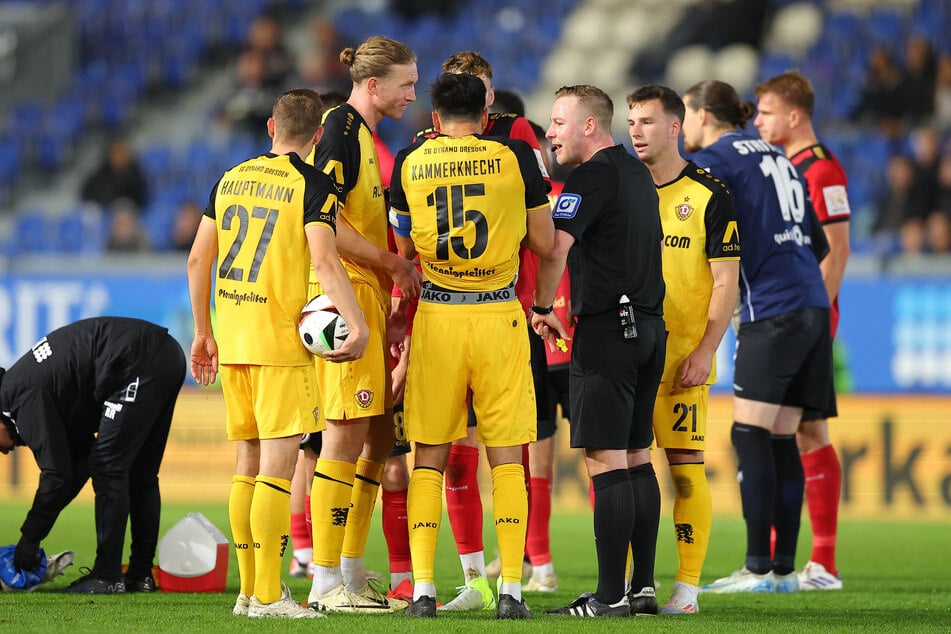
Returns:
<point x="784" y="117"/>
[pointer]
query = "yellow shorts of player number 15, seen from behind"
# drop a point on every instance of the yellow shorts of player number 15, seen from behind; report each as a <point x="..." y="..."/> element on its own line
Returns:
<point x="463" y="350"/>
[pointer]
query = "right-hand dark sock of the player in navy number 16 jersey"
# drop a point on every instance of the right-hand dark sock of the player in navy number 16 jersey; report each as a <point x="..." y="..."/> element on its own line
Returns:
<point x="787" y="506"/>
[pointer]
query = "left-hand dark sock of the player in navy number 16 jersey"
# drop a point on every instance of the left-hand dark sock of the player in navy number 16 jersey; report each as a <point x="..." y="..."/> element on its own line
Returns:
<point x="757" y="476"/>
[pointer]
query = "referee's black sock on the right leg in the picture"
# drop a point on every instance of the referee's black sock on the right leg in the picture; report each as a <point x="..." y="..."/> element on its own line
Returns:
<point x="646" y="519"/>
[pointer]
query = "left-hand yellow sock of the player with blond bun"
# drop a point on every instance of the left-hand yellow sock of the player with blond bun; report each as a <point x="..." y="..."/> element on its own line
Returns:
<point x="329" y="508"/>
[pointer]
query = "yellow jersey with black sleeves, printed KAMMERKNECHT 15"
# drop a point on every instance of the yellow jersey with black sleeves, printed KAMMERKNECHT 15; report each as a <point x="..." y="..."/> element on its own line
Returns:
<point x="463" y="201"/>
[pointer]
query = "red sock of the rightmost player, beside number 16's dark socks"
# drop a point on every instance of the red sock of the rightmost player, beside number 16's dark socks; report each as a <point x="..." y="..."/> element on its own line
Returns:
<point x="823" y="485"/>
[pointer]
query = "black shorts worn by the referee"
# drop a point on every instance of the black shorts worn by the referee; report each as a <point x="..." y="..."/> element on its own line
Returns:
<point x="613" y="381"/>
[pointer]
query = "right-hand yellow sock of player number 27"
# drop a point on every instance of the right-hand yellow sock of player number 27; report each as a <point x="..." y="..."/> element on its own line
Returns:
<point x="271" y="527"/>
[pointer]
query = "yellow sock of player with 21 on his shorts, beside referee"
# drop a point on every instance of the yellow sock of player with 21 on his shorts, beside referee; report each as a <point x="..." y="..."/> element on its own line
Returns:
<point x="693" y="514"/>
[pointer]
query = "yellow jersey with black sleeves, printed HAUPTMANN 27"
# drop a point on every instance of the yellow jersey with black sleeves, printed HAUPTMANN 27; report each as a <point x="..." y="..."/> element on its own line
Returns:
<point x="260" y="208"/>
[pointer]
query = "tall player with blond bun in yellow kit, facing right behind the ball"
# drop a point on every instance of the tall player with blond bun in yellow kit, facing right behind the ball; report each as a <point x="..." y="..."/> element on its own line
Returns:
<point x="357" y="396"/>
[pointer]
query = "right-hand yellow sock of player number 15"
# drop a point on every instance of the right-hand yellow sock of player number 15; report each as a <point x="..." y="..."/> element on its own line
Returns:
<point x="510" y="509"/>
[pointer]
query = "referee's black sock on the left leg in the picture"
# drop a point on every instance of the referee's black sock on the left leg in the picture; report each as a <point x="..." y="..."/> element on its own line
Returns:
<point x="613" y="525"/>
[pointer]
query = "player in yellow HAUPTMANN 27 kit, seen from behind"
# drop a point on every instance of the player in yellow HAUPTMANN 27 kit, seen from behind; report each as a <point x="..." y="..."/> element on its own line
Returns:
<point x="267" y="221"/>
